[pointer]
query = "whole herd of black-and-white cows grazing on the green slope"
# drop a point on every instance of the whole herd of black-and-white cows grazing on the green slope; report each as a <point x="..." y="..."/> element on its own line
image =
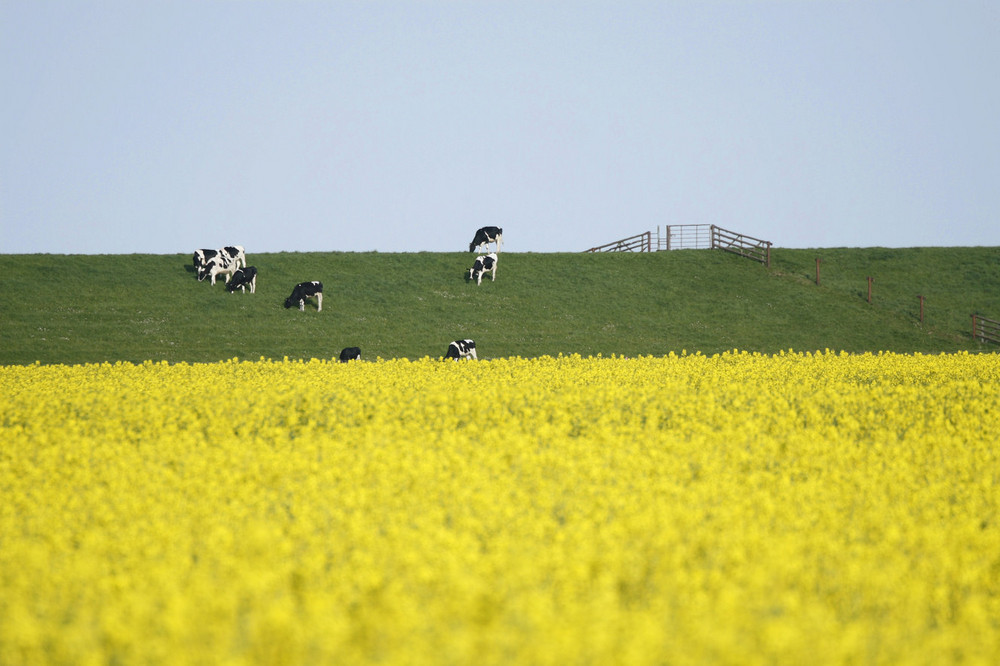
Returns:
<point x="231" y="263"/>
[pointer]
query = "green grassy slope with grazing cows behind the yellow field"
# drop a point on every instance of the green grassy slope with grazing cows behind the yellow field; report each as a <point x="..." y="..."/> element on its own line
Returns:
<point x="83" y="308"/>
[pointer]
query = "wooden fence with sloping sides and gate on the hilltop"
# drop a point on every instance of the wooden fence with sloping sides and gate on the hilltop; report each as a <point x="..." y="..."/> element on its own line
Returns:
<point x="690" y="237"/>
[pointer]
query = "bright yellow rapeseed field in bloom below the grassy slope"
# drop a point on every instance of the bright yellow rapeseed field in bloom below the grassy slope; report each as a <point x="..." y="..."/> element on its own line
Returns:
<point x="800" y="508"/>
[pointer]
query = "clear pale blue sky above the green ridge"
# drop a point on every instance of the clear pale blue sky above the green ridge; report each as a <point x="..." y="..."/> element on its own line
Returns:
<point x="166" y="126"/>
